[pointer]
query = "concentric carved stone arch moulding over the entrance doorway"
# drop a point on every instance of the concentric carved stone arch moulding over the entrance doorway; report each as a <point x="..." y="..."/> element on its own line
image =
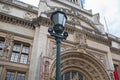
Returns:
<point x="82" y="61"/>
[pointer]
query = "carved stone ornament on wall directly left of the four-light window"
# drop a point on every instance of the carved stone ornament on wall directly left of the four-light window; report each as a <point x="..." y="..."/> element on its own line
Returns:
<point x="8" y="43"/>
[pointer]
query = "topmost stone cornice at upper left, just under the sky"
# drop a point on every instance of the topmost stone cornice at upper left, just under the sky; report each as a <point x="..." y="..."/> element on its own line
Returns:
<point x="18" y="6"/>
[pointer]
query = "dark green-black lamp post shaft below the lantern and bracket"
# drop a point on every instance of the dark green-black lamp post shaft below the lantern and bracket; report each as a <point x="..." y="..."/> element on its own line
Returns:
<point x="58" y="66"/>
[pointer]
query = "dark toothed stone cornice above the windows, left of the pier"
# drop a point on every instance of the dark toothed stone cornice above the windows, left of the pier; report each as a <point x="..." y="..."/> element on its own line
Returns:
<point x="15" y="20"/>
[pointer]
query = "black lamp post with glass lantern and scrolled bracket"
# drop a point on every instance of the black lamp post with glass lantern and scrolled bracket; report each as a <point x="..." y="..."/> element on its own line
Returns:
<point x="59" y="19"/>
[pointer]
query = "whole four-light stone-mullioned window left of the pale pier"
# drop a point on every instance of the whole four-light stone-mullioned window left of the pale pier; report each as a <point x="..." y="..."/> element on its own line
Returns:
<point x="20" y="53"/>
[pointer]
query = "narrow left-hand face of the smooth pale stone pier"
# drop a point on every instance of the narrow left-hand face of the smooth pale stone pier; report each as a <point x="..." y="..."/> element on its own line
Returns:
<point x="34" y="52"/>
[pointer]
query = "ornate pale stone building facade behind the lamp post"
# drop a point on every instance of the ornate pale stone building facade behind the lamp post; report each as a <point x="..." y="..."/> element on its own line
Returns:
<point x="88" y="53"/>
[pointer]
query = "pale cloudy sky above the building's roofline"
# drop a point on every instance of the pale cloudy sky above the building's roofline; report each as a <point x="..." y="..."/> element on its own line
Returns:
<point x="108" y="9"/>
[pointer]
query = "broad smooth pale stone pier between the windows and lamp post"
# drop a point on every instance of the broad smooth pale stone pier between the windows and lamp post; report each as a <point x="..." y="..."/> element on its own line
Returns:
<point x="39" y="47"/>
